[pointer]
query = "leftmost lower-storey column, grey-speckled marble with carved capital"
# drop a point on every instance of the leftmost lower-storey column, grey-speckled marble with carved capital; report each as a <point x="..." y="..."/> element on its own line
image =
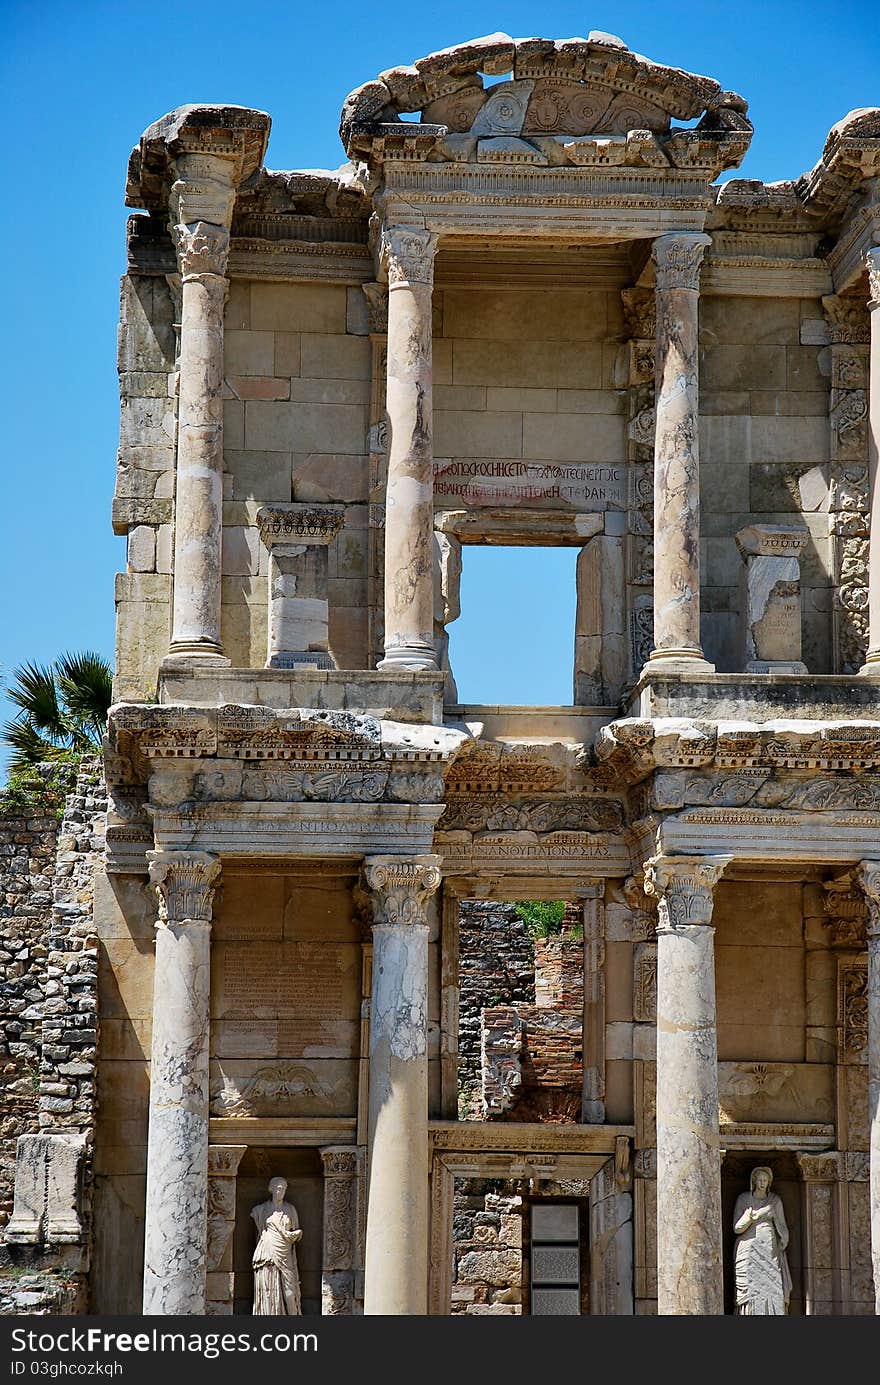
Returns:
<point x="177" y="1231"/>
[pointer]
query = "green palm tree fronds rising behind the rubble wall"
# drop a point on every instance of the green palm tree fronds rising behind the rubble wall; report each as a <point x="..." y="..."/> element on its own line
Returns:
<point x="63" y="710"/>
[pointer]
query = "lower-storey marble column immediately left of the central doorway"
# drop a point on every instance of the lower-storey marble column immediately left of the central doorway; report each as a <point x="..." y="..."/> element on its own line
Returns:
<point x="397" y="1243"/>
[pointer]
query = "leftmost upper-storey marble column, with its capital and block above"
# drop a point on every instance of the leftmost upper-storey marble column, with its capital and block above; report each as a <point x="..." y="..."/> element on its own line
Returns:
<point x="202" y="213"/>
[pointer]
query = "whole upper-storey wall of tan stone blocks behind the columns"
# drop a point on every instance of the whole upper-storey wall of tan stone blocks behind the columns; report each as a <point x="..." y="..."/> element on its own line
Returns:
<point x="534" y="376"/>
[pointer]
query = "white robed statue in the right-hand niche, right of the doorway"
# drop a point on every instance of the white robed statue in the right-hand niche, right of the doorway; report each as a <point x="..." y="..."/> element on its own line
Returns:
<point x="763" y="1278"/>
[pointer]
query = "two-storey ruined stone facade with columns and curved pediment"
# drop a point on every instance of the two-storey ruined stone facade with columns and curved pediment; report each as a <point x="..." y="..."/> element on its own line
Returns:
<point x="536" y="307"/>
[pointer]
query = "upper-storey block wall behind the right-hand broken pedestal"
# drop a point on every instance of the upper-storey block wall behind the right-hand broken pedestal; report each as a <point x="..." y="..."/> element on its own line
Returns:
<point x="764" y="458"/>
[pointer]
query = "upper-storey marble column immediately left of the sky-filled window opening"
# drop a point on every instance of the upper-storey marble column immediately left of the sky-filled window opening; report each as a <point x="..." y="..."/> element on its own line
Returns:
<point x="408" y="253"/>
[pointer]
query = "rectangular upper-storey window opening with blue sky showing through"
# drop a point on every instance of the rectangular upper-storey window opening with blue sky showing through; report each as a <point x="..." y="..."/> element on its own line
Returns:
<point x="513" y="643"/>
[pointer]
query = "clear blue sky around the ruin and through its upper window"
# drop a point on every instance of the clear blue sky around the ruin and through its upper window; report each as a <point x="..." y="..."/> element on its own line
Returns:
<point x="81" y="81"/>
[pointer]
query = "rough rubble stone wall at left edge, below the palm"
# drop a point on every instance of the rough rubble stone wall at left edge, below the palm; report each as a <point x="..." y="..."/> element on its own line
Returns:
<point x="51" y="1038"/>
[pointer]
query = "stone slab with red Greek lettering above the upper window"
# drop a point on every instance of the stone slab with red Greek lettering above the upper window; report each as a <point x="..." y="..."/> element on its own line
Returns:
<point x="536" y="485"/>
